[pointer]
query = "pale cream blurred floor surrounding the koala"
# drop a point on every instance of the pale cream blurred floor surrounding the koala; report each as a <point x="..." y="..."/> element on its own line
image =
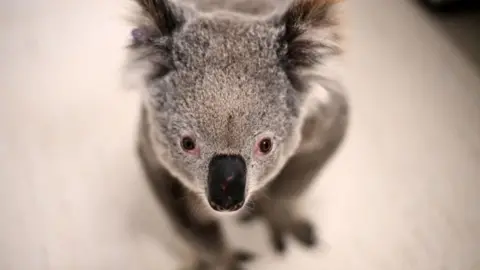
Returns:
<point x="402" y="194"/>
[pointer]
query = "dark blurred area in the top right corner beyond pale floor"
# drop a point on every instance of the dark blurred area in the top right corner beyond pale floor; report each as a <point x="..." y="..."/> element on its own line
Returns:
<point x="461" y="24"/>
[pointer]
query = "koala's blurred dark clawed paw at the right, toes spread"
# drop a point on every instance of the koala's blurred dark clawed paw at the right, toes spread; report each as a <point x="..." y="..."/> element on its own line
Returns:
<point x="302" y="231"/>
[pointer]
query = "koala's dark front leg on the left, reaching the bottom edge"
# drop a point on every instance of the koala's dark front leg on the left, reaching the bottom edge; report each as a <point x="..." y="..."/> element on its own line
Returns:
<point x="201" y="233"/>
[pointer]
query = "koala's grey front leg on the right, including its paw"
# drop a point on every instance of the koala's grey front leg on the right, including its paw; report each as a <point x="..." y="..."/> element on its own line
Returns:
<point x="277" y="205"/>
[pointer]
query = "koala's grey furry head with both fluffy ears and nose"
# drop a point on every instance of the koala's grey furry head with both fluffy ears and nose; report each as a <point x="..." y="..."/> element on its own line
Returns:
<point x="224" y="91"/>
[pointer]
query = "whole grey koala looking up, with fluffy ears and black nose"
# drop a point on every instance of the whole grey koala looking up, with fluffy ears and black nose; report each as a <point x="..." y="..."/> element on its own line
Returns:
<point x="241" y="109"/>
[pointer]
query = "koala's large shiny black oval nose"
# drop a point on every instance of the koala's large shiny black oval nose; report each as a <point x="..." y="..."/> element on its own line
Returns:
<point x="226" y="182"/>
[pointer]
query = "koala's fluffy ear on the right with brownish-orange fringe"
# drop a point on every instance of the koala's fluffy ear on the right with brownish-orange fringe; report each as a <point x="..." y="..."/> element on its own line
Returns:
<point x="311" y="33"/>
